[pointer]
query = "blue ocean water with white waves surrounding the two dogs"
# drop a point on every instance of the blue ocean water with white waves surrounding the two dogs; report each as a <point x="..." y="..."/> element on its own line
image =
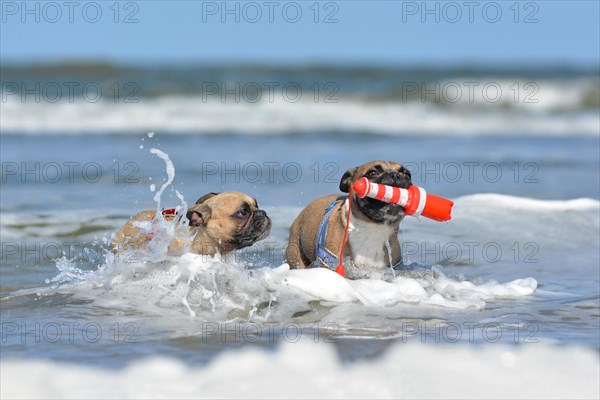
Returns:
<point x="510" y="287"/>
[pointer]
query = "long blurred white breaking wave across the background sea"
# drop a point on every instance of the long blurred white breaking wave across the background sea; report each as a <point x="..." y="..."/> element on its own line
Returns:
<point x="191" y="114"/>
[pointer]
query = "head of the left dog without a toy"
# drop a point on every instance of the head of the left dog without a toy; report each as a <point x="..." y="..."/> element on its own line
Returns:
<point x="231" y="218"/>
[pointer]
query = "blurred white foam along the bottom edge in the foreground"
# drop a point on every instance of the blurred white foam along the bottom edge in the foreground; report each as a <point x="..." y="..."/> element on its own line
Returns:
<point x="310" y="370"/>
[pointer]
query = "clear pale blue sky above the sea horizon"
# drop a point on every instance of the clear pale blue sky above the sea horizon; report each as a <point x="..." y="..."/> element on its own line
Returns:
<point x="358" y="32"/>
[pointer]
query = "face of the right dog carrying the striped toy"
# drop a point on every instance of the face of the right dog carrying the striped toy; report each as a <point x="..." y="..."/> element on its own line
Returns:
<point x="384" y="172"/>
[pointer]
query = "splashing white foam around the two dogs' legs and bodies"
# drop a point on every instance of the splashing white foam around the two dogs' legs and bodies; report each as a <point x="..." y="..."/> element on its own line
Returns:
<point x="221" y="289"/>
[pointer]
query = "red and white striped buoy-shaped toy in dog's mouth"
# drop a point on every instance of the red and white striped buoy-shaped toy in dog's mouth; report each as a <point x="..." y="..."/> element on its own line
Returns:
<point x="415" y="200"/>
